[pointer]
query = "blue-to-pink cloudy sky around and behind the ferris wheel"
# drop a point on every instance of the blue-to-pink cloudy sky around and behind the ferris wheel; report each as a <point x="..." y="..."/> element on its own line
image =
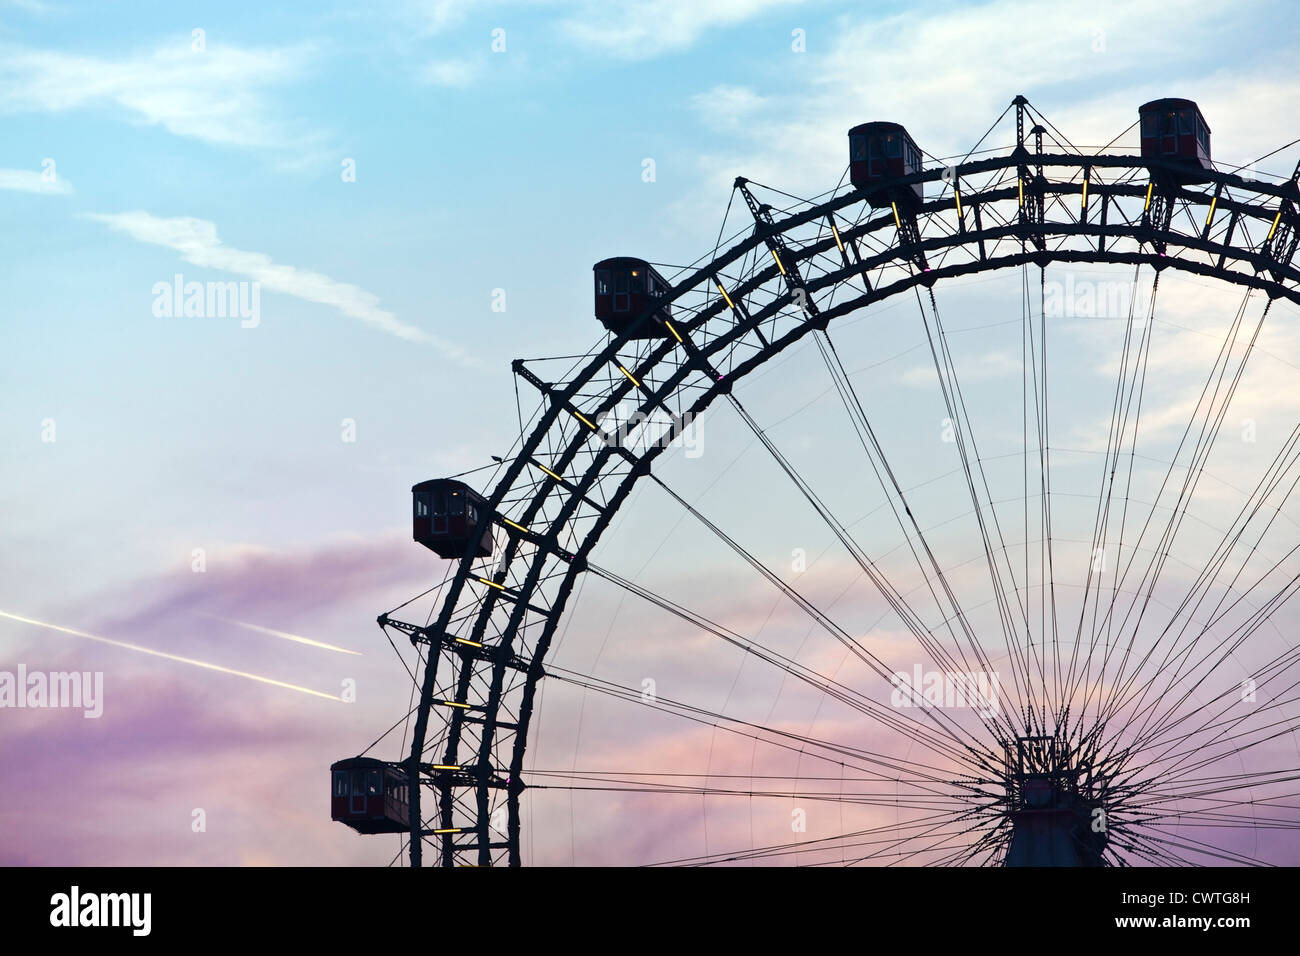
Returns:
<point x="214" y="508"/>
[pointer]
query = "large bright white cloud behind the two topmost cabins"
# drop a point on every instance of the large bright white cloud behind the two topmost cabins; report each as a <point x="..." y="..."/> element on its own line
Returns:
<point x="948" y="73"/>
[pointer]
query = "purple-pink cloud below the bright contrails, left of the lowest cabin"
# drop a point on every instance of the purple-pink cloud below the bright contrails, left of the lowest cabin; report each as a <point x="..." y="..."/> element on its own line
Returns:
<point x="163" y="750"/>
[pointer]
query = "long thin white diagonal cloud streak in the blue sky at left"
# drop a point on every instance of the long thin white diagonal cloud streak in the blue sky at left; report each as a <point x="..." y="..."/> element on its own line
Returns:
<point x="198" y="244"/>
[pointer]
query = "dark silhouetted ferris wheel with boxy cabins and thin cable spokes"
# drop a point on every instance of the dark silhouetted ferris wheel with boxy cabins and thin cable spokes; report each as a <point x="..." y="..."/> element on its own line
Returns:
<point x="1052" y="633"/>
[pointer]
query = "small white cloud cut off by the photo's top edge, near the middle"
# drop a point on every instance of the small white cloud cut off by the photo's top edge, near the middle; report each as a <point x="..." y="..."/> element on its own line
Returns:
<point x="643" y="29"/>
